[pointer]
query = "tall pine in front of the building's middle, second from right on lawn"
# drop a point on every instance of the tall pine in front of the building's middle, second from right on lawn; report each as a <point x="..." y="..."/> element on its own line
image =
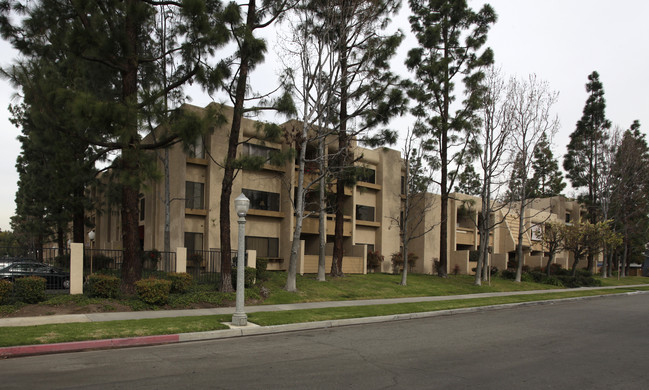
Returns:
<point x="366" y="89"/>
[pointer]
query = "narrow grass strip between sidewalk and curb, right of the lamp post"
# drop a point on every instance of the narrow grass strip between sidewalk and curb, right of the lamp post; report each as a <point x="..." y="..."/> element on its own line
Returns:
<point x="312" y="315"/>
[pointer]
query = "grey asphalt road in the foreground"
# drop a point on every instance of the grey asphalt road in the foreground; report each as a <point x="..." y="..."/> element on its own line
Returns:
<point x="600" y="343"/>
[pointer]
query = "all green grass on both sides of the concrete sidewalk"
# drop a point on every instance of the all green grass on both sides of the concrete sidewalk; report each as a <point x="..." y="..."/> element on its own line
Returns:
<point x="347" y="288"/>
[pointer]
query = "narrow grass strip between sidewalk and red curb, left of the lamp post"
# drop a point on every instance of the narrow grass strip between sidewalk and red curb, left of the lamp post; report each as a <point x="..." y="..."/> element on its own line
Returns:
<point x="83" y="331"/>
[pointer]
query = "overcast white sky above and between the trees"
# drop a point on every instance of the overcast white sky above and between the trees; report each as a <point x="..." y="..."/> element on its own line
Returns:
<point x="561" y="41"/>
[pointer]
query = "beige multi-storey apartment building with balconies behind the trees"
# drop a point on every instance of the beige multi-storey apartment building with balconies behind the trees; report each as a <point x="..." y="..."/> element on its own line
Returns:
<point x="371" y="210"/>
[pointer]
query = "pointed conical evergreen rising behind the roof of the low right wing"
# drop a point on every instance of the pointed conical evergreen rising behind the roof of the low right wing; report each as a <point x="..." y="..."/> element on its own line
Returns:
<point x="547" y="180"/>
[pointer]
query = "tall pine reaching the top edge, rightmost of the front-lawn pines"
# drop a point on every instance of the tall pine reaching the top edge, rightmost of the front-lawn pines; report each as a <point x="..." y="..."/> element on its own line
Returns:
<point x="450" y="35"/>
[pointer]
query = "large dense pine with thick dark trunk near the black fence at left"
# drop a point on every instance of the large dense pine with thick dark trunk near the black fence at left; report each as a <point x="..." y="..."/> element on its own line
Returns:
<point x="118" y="38"/>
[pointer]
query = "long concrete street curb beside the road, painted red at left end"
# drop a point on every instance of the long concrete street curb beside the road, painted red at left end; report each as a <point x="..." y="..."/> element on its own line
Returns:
<point x="40" y="349"/>
